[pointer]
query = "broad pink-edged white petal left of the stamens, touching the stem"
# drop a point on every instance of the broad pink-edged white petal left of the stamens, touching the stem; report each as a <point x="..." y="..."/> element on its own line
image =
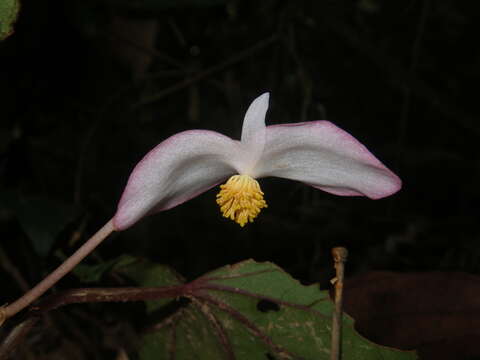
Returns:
<point x="178" y="169"/>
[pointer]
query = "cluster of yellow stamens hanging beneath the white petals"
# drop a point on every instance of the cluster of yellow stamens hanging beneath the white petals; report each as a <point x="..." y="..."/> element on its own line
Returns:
<point x="241" y="199"/>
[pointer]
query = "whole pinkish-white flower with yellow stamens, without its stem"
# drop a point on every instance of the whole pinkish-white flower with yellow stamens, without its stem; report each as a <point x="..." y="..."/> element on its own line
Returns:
<point x="189" y="163"/>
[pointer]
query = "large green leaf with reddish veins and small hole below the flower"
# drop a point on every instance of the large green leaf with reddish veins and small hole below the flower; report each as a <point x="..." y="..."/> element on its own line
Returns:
<point x="250" y="311"/>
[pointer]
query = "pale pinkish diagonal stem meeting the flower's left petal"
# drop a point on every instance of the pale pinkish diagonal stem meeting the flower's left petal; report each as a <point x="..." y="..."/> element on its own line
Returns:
<point x="34" y="293"/>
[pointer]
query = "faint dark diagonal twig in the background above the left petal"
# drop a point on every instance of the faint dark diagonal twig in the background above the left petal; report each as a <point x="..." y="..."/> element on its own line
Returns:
<point x="195" y="78"/>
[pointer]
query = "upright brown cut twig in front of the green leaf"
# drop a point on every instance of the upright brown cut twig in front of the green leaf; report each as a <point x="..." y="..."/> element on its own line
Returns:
<point x="339" y="257"/>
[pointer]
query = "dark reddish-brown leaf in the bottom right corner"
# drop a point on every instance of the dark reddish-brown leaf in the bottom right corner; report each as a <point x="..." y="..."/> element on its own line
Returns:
<point x="435" y="313"/>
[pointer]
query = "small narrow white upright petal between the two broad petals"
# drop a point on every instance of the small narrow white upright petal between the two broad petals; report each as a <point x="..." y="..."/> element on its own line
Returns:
<point x="253" y="130"/>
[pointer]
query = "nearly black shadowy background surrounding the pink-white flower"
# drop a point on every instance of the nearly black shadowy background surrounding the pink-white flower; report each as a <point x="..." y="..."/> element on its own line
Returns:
<point x="76" y="88"/>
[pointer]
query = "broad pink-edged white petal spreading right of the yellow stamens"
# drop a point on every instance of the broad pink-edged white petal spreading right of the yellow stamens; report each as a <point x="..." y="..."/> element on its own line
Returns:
<point x="326" y="157"/>
